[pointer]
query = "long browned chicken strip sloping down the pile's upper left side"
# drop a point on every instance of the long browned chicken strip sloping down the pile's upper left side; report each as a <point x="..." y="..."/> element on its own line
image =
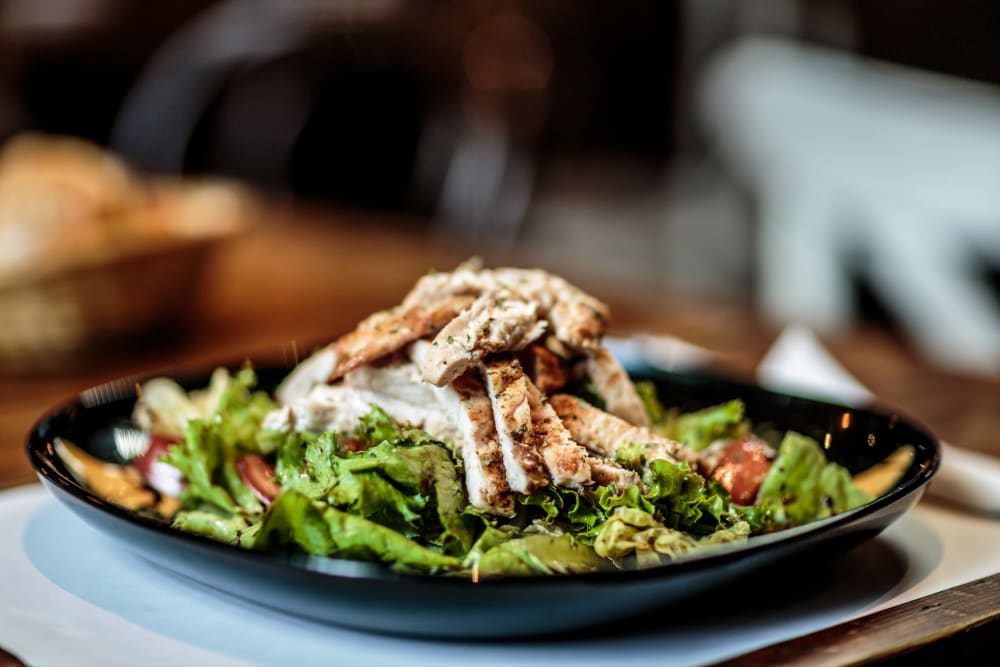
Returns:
<point x="390" y="330"/>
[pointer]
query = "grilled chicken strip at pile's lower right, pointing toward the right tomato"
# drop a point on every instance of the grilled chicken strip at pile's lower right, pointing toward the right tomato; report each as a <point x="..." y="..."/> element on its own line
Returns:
<point x="604" y="433"/>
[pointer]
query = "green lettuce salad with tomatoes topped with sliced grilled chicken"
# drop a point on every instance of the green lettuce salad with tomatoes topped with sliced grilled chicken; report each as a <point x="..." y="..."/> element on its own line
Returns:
<point x="478" y="429"/>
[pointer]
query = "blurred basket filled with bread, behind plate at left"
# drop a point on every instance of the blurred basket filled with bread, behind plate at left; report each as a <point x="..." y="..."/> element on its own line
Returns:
<point x="93" y="255"/>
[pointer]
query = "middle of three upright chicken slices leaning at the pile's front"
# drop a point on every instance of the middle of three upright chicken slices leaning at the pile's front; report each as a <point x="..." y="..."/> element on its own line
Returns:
<point x="508" y="392"/>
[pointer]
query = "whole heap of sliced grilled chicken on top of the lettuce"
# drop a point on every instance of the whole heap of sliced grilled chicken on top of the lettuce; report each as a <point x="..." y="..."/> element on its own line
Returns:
<point x="472" y="357"/>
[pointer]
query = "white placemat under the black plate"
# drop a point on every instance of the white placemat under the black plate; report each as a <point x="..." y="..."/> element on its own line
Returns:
<point x="72" y="596"/>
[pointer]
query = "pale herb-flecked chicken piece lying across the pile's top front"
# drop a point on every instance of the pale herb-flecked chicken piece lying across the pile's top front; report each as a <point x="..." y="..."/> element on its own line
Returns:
<point x="495" y="322"/>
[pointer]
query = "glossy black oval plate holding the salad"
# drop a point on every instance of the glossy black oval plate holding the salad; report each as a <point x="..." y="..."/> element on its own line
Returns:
<point x="371" y="597"/>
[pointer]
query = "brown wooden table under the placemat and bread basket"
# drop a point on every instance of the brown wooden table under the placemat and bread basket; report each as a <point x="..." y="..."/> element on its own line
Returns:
<point x="303" y="277"/>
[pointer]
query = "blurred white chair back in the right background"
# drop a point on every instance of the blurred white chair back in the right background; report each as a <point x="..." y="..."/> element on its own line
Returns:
<point x="861" y="168"/>
